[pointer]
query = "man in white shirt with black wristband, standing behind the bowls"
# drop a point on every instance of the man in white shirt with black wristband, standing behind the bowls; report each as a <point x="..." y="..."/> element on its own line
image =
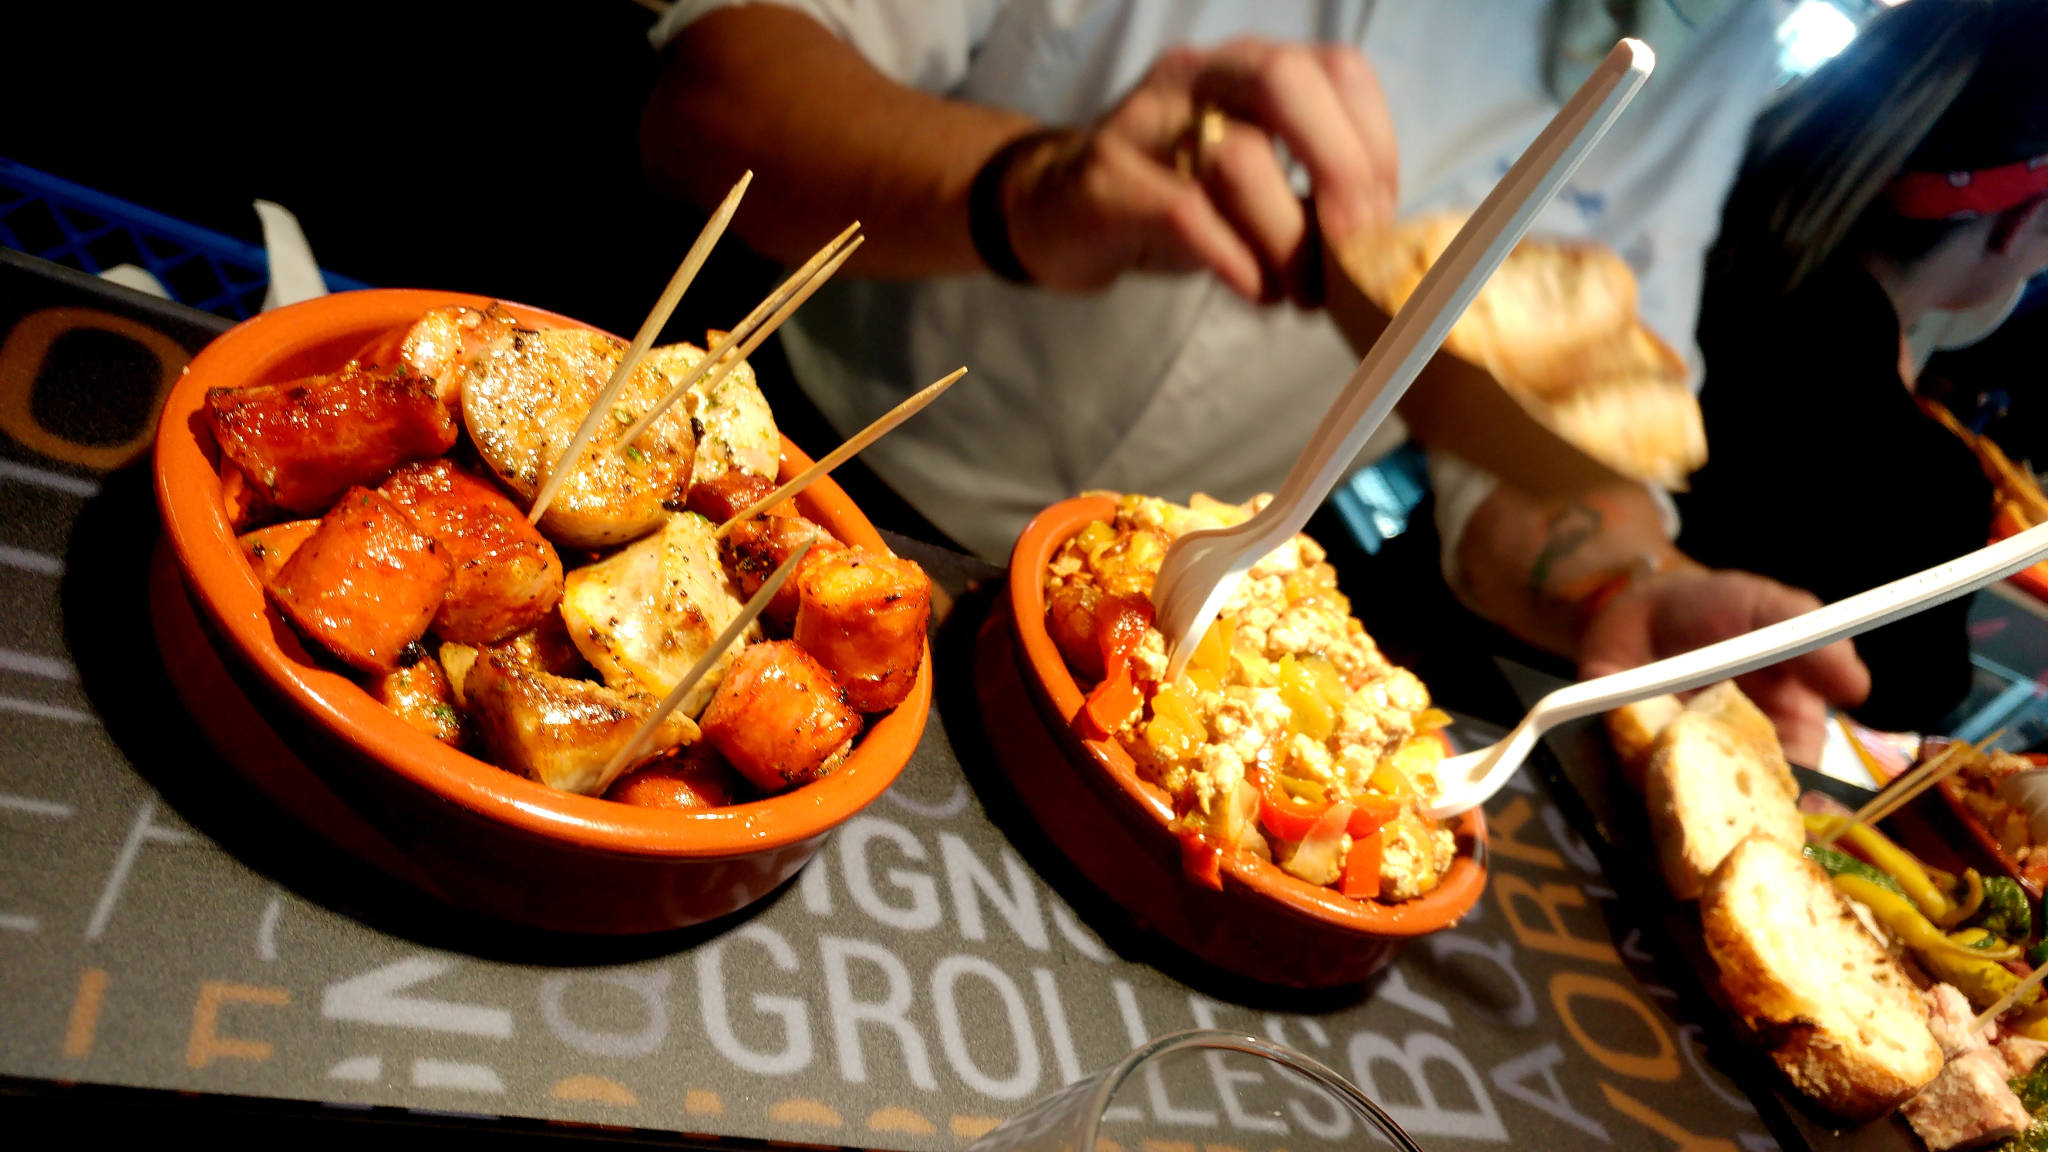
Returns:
<point x="1064" y="147"/>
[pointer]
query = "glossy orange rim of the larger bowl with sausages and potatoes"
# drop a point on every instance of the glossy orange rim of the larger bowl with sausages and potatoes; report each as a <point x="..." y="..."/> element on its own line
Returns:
<point x="228" y="591"/>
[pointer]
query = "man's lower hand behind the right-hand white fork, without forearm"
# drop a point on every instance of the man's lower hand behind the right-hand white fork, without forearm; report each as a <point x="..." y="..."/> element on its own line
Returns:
<point x="1689" y="610"/>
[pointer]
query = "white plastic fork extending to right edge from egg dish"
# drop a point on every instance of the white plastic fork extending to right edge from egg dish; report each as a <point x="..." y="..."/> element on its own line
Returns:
<point x="1471" y="778"/>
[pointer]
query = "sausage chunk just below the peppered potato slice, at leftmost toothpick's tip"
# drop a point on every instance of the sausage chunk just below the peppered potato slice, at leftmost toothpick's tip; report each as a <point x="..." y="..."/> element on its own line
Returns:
<point x="507" y="575"/>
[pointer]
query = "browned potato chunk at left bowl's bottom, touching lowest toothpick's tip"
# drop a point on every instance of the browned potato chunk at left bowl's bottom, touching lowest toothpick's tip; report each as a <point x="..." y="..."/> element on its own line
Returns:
<point x="562" y="733"/>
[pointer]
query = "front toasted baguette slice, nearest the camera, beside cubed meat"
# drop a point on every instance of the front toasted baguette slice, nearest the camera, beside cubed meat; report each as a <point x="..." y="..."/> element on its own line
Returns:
<point x="1836" y="1010"/>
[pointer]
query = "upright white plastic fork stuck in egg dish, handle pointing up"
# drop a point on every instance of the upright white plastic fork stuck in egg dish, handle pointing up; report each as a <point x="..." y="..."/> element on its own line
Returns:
<point x="1203" y="569"/>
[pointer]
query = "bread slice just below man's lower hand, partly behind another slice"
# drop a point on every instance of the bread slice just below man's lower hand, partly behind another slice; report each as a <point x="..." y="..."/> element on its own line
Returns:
<point x="1707" y="790"/>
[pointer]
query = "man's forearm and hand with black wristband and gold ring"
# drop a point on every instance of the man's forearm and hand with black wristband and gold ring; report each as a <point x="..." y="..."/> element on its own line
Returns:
<point x="833" y="138"/>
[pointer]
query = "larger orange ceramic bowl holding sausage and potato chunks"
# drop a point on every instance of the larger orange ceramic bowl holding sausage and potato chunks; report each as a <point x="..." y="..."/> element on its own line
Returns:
<point x="464" y="829"/>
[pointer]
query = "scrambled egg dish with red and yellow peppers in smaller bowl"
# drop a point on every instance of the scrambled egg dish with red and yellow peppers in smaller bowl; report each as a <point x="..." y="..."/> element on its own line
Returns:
<point x="1289" y="737"/>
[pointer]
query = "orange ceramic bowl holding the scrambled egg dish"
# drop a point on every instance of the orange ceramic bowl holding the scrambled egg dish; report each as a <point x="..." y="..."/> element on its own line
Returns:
<point x="1089" y="798"/>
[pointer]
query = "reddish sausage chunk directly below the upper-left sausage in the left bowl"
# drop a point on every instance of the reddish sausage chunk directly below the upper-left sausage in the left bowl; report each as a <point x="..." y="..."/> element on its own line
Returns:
<point x="366" y="585"/>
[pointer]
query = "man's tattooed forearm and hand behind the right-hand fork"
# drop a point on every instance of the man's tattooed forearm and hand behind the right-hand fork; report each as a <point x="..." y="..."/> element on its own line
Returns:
<point x="1598" y="581"/>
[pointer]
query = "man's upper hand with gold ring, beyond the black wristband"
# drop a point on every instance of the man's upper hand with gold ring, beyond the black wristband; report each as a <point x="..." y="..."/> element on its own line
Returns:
<point x="1146" y="192"/>
